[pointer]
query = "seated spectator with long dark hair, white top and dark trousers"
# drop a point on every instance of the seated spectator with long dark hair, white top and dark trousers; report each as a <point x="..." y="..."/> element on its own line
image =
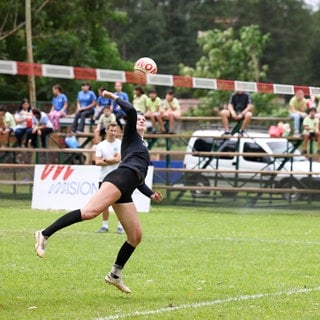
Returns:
<point x="23" y="118"/>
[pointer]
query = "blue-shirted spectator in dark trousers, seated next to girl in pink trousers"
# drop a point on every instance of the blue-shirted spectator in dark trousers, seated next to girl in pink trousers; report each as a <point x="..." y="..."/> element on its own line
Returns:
<point x="86" y="101"/>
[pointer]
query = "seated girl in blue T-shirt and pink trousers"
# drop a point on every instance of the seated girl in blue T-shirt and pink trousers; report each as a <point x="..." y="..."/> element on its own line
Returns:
<point x="59" y="106"/>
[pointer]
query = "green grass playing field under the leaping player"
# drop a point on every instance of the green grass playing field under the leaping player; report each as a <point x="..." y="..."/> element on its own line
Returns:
<point x="193" y="263"/>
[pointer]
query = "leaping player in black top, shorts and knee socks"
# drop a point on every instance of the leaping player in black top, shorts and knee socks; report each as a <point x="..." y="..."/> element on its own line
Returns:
<point x="116" y="190"/>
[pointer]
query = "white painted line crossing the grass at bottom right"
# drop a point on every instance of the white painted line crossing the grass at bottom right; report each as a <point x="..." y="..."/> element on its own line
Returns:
<point x="197" y="305"/>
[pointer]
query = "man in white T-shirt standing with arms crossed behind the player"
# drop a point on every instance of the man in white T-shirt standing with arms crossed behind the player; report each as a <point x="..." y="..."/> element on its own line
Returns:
<point x="108" y="157"/>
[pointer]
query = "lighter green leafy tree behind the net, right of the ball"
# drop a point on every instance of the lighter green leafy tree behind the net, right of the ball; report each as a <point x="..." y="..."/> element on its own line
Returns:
<point x="224" y="56"/>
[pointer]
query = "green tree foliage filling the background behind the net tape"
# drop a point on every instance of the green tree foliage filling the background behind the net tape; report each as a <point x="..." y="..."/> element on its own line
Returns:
<point x="113" y="34"/>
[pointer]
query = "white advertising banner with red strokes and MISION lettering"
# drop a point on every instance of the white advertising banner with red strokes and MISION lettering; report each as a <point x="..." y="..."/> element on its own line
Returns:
<point x="69" y="187"/>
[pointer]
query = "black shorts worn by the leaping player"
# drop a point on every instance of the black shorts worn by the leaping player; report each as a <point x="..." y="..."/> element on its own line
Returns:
<point x="126" y="180"/>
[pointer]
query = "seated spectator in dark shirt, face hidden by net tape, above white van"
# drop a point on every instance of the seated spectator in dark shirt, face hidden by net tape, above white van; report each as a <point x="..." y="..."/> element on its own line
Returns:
<point x="239" y="108"/>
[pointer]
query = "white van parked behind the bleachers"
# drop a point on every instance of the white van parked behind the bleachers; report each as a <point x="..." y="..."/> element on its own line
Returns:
<point x="254" y="142"/>
